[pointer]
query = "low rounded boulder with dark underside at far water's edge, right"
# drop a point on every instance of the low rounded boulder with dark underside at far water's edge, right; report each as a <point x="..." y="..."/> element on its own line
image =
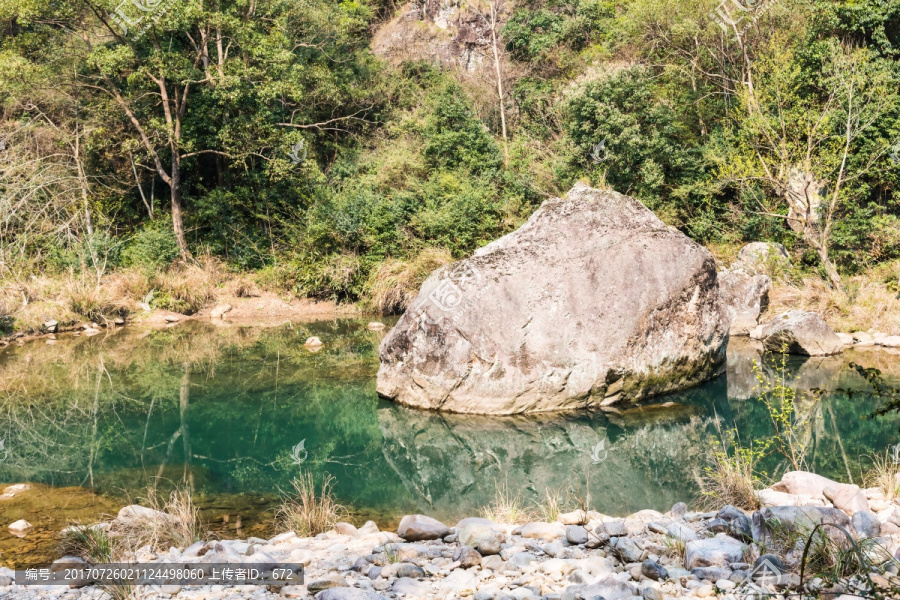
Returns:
<point x="800" y="332"/>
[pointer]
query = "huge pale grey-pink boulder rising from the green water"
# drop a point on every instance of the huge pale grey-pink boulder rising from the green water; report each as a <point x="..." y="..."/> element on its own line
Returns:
<point x="593" y="301"/>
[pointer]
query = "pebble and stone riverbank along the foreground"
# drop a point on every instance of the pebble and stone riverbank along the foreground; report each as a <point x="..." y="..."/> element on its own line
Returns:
<point x="725" y="553"/>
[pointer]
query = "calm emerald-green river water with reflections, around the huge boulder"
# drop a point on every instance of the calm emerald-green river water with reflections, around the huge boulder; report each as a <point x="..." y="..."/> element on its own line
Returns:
<point x="221" y="408"/>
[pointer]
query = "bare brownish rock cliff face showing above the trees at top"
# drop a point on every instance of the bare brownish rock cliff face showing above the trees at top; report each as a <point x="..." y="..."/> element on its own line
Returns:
<point x="447" y="32"/>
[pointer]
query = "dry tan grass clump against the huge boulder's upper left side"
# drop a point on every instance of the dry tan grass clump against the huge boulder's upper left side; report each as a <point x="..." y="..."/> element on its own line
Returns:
<point x="396" y="282"/>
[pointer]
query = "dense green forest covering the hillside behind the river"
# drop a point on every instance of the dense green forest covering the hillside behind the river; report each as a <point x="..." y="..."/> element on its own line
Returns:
<point x="343" y="149"/>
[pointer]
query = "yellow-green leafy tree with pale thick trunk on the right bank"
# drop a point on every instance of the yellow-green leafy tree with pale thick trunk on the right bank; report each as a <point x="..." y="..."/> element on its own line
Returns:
<point x="805" y="141"/>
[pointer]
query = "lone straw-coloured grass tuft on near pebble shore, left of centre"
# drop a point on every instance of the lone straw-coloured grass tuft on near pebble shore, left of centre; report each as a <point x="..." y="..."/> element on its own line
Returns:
<point x="308" y="513"/>
